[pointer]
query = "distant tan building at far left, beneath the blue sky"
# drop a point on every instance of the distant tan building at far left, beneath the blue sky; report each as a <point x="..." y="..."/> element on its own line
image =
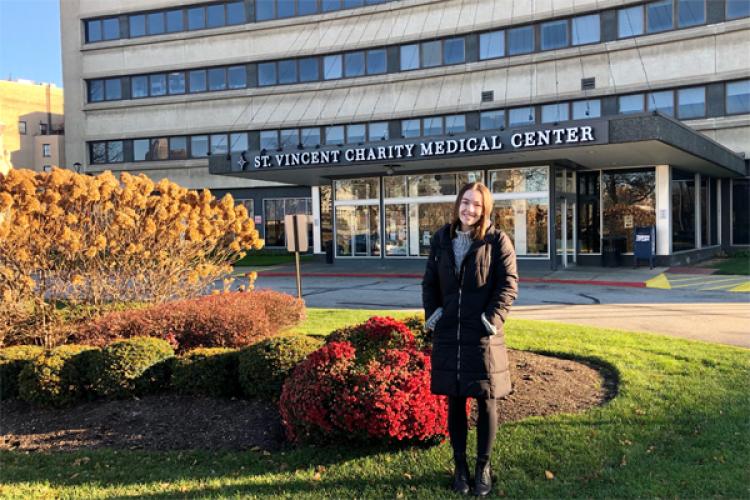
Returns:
<point x="31" y="115"/>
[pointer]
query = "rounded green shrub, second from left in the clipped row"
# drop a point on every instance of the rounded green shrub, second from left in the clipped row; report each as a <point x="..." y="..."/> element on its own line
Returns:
<point x="57" y="377"/>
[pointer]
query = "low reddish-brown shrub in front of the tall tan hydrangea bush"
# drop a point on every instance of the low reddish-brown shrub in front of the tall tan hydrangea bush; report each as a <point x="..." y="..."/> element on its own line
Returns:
<point x="224" y="320"/>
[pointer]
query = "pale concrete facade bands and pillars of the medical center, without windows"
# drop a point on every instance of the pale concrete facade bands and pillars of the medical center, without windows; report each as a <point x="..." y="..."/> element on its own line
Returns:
<point x="709" y="54"/>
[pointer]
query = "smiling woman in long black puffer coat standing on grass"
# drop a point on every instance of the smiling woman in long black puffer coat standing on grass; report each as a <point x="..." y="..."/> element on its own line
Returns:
<point x="468" y="288"/>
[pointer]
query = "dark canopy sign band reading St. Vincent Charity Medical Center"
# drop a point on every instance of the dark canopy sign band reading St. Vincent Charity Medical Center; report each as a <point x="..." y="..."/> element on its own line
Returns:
<point x="398" y="151"/>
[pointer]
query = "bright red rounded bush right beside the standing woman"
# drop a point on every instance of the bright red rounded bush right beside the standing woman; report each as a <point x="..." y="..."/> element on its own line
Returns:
<point x="368" y="383"/>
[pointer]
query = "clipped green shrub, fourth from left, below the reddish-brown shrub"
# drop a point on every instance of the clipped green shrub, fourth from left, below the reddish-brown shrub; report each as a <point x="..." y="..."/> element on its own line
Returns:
<point x="207" y="372"/>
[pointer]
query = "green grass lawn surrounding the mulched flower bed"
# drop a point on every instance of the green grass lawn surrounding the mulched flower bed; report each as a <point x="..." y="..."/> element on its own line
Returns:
<point x="678" y="427"/>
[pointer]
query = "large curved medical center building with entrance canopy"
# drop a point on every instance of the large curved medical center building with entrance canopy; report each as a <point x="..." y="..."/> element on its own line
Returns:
<point x="587" y="119"/>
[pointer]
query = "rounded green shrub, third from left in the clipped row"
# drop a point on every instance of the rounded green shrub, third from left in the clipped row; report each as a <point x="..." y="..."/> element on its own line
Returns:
<point x="133" y="367"/>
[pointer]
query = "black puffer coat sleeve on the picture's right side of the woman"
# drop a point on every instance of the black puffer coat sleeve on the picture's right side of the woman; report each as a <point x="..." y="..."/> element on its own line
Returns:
<point x="506" y="281"/>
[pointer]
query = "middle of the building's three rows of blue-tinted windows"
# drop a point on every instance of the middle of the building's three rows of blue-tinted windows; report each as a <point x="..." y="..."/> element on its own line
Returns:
<point x="632" y="21"/>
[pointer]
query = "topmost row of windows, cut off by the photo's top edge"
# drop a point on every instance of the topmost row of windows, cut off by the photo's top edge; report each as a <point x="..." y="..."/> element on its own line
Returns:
<point x="198" y="17"/>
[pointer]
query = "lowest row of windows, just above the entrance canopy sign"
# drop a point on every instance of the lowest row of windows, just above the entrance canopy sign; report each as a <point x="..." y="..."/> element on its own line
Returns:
<point x="683" y="103"/>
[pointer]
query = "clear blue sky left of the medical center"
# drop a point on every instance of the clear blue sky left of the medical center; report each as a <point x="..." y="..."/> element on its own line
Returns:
<point x="30" y="40"/>
